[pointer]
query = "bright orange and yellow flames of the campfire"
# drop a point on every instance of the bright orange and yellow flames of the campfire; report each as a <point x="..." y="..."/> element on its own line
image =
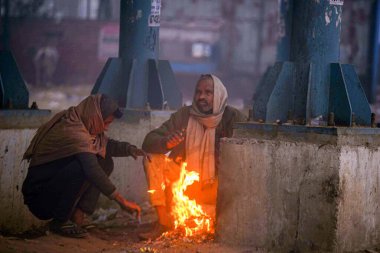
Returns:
<point x="188" y="215"/>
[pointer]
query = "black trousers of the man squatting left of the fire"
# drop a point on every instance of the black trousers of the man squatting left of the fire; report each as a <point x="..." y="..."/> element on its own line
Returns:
<point x="55" y="189"/>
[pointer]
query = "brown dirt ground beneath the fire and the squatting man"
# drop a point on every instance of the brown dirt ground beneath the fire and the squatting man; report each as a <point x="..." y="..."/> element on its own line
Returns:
<point x="118" y="235"/>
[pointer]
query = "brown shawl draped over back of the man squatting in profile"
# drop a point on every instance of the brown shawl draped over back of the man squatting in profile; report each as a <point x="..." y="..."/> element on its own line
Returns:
<point x="76" y="130"/>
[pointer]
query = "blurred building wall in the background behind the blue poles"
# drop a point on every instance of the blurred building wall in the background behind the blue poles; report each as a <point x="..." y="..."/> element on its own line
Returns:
<point x="233" y="39"/>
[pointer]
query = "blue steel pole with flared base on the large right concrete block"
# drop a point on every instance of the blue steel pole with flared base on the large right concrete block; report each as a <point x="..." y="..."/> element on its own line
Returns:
<point x="312" y="83"/>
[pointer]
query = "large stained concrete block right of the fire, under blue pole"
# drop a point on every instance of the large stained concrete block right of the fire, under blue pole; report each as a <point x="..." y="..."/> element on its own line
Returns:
<point x="282" y="194"/>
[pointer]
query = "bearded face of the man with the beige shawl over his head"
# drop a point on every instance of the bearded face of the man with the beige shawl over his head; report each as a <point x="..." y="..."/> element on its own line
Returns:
<point x="204" y="96"/>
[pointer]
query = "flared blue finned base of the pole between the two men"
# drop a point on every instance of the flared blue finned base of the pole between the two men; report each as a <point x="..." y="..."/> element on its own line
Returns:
<point x="124" y="81"/>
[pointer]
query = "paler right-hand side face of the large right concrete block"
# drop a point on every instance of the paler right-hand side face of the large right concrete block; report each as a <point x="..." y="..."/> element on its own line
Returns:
<point x="358" y="211"/>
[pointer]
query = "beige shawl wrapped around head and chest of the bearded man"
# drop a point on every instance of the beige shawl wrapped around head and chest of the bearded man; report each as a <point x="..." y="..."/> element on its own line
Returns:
<point x="200" y="135"/>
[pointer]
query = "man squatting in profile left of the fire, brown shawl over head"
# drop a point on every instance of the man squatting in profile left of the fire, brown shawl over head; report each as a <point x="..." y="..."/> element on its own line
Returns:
<point x="70" y="162"/>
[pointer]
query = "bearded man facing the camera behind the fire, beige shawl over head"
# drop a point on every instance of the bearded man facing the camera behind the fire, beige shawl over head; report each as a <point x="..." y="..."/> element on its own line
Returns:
<point x="192" y="135"/>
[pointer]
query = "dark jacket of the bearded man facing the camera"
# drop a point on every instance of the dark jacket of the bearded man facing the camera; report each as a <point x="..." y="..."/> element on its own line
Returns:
<point x="155" y="141"/>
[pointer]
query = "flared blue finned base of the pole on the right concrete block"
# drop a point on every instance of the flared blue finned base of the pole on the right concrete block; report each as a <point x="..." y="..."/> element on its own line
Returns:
<point x="306" y="91"/>
